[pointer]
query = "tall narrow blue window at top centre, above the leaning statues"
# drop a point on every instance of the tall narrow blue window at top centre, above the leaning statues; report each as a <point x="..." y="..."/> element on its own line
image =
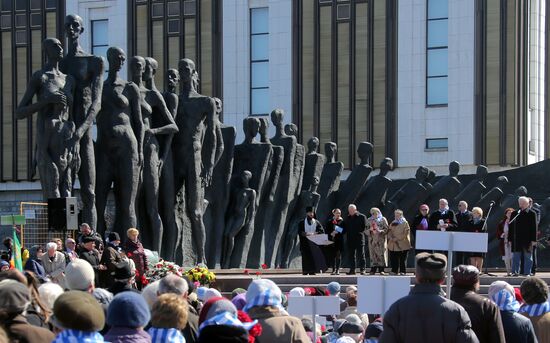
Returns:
<point x="259" y="61"/>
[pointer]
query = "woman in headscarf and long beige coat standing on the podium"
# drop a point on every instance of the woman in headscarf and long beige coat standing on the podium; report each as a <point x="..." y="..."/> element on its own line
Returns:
<point x="377" y="229"/>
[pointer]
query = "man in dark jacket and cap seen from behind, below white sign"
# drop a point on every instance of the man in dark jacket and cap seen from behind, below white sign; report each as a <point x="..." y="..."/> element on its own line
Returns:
<point x="425" y="315"/>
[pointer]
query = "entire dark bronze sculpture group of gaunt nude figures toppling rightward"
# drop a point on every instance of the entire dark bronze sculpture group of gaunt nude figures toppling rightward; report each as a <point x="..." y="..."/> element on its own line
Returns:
<point x="176" y="171"/>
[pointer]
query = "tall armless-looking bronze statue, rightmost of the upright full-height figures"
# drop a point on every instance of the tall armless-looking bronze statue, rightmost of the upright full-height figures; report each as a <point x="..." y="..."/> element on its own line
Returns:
<point x="194" y="167"/>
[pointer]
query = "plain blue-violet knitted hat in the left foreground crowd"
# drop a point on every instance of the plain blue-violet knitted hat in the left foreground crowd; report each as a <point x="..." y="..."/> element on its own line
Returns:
<point x="128" y="309"/>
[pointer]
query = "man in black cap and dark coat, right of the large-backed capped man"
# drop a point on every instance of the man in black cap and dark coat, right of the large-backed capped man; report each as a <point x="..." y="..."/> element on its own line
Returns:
<point x="484" y="314"/>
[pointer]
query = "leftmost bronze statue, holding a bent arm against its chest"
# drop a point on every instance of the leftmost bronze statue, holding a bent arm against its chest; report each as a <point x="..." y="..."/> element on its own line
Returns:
<point x="57" y="162"/>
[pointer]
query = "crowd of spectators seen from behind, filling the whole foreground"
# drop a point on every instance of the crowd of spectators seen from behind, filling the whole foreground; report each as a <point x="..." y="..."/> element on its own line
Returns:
<point x="74" y="309"/>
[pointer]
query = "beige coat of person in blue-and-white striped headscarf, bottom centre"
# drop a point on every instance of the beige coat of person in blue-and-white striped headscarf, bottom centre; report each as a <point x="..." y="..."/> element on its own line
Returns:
<point x="278" y="326"/>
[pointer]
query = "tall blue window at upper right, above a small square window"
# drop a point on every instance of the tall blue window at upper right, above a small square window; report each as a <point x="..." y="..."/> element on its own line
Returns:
<point x="437" y="52"/>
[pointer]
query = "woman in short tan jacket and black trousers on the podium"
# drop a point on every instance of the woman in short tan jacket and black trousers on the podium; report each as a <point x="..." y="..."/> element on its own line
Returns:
<point x="399" y="243"/>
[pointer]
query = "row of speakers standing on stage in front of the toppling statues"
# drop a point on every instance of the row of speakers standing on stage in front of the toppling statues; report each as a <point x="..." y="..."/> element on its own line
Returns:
<point x="516" y="232"/>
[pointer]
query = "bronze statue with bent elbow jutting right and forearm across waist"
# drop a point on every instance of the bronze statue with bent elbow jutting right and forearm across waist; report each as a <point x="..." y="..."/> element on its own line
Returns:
<point x="157" y="123"/>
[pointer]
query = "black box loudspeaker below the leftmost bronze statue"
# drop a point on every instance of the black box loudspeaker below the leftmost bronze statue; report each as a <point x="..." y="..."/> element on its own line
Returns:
<point x="62" y="214"/>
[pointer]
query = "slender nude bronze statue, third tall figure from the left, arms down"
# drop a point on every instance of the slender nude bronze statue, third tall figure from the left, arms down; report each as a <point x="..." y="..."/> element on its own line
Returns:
<point x="119" y="138"/>
